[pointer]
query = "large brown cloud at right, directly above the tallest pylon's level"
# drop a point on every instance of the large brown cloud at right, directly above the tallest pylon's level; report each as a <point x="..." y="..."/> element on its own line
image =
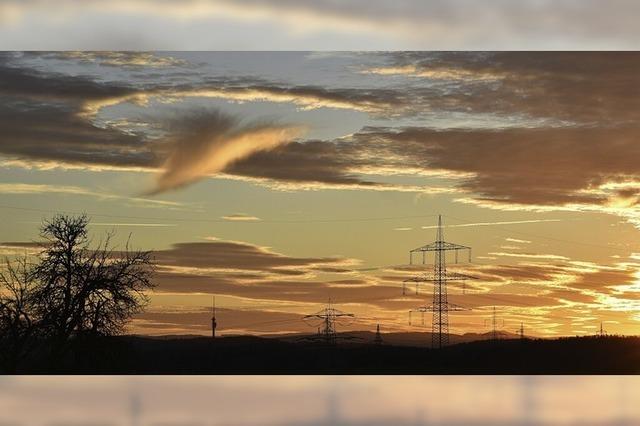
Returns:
<point x="505" y="163"/>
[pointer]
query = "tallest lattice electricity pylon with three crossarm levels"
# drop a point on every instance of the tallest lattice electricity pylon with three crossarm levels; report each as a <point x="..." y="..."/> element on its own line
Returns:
<point x="440" y="305"/>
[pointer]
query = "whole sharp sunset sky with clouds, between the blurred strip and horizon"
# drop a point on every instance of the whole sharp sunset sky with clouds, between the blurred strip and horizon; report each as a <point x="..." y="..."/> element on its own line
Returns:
<point x="279" y="180"/>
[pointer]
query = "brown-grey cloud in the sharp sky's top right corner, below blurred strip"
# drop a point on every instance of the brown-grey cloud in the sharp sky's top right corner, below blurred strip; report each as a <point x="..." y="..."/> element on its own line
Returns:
<point x="560" y="87"/>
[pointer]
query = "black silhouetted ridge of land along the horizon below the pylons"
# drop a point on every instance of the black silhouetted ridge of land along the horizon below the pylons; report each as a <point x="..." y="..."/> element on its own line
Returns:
<point x="261" y="355"/>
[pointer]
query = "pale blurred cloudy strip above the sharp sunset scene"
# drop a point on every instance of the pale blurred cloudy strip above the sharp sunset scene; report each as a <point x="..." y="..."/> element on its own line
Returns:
<point x="415" y="24"/>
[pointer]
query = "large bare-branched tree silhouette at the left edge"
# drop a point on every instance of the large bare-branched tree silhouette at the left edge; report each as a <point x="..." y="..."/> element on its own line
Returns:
<point x="75" y="290"/>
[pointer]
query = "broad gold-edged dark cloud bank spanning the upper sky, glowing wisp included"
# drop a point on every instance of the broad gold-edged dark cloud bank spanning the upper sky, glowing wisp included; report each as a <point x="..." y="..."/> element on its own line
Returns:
<point x="586" y="136"/>
